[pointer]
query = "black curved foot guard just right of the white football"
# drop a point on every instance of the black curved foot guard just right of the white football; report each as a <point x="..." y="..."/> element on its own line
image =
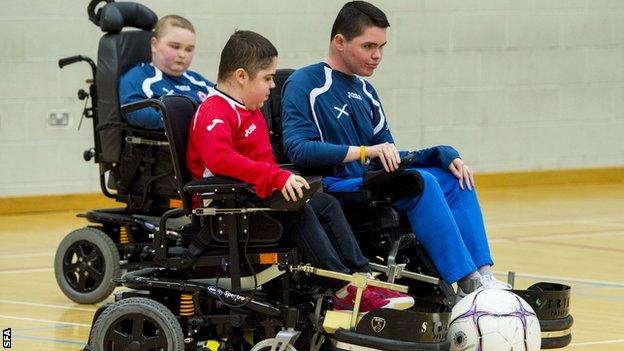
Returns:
<point x="551" y="303"/>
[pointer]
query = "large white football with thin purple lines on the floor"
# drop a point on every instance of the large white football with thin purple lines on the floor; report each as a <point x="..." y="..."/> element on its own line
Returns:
<point x="492" y="319"/>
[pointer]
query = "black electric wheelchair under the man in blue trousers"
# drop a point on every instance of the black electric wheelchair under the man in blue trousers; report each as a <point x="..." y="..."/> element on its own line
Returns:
<point x="380" y="228"/>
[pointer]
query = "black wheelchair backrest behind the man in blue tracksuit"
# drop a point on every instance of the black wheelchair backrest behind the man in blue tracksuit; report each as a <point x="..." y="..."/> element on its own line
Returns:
<point x="272" y="111"/>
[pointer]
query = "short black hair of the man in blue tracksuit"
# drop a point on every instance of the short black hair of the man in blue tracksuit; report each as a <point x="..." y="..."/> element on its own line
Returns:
<point x="355" y="16"/>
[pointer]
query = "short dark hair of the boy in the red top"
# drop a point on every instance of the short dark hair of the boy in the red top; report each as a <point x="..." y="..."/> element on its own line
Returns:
<point x="247" y="50"/>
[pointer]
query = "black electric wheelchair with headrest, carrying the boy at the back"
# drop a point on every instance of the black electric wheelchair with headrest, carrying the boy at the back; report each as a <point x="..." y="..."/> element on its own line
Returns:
<point x="134" y="164"/>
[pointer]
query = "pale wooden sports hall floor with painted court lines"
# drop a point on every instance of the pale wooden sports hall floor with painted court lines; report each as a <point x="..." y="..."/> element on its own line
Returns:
<point x="566" y="233"/>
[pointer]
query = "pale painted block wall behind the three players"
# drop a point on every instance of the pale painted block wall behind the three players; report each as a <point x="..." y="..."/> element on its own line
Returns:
<point x="513" y="84"/>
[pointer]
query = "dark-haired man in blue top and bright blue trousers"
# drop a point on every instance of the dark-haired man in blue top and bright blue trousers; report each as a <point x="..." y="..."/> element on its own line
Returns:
<point x="332" y="116"/>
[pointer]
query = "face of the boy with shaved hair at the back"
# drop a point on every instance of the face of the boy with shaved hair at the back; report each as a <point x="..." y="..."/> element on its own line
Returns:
<point x="173" y="52"/>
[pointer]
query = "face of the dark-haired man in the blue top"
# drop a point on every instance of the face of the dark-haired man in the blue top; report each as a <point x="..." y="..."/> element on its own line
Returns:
<point x="362" y="54"/>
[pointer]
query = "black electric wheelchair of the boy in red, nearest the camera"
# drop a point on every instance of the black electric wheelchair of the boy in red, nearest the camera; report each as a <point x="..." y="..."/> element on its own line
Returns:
<point x="244" y="289"/>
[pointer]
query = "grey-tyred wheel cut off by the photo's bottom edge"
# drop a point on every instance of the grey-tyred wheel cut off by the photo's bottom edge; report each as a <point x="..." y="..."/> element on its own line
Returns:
<point x="137" y="323"/>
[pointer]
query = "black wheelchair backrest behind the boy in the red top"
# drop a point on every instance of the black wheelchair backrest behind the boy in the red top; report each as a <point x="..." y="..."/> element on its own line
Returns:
<point x="178" y="115"/>
